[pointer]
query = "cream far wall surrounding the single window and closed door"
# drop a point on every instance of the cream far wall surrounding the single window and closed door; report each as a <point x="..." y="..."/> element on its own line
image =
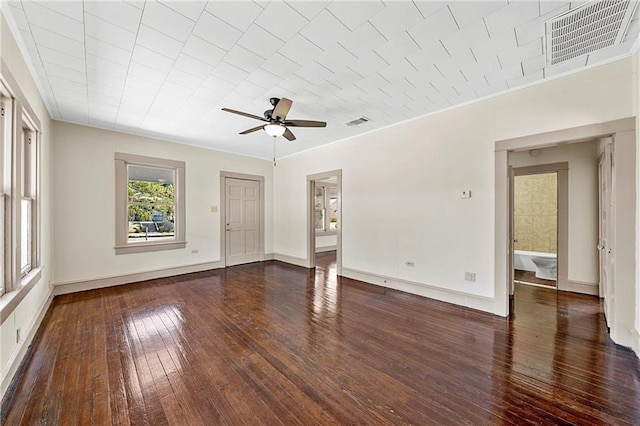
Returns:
<point x="84" y="212"/>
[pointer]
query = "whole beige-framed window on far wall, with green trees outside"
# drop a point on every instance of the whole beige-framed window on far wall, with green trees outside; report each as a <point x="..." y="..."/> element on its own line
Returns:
<point x="150" y="207"/>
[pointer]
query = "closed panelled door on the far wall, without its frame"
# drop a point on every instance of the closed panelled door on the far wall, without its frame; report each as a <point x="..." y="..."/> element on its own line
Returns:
<point x="242" y="221"/>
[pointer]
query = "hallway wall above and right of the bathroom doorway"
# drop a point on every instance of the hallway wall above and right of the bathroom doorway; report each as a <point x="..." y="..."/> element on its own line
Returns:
<point x="583" y="203"/>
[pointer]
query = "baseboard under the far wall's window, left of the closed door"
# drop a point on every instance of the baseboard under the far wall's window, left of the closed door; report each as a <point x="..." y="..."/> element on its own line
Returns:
<point x="94" y="283"/>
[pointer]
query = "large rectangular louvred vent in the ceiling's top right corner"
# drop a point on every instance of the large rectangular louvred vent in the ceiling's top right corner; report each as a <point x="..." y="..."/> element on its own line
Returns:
<point x="586" y="29"/>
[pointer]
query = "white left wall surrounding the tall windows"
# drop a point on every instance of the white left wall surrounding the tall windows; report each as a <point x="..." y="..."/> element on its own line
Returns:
<point x="27" y="314"/>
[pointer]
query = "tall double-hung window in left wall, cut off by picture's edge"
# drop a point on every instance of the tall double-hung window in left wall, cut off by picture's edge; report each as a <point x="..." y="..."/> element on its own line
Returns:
<point x="19" y="194"/>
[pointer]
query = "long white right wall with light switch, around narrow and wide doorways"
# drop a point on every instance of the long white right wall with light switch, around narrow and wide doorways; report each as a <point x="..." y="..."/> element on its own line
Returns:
<point x="400" y="185"/>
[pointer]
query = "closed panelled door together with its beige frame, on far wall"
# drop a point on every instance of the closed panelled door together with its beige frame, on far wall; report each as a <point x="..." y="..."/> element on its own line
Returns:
<point x="242" y="221"/>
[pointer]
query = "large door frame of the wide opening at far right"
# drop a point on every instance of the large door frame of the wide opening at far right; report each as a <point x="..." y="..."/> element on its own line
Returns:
<point x="624" y="196"/>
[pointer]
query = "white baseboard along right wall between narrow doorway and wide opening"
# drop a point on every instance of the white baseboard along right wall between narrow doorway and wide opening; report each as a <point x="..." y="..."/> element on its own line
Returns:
<point x="482" y="303"/>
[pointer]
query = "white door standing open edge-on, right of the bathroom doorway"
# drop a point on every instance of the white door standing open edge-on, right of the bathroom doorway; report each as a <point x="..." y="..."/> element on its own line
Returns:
<point x="605" y="242"/>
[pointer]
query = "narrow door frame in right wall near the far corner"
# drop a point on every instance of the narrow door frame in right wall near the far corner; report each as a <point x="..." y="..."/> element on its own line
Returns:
<point x="311" y="229"/>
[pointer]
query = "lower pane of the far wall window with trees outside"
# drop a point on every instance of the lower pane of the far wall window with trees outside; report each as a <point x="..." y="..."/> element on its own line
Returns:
<point x="151" y="223"/>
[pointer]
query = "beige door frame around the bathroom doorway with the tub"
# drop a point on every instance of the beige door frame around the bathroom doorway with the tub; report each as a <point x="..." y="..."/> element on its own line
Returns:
<point x="562" y="218"/>
